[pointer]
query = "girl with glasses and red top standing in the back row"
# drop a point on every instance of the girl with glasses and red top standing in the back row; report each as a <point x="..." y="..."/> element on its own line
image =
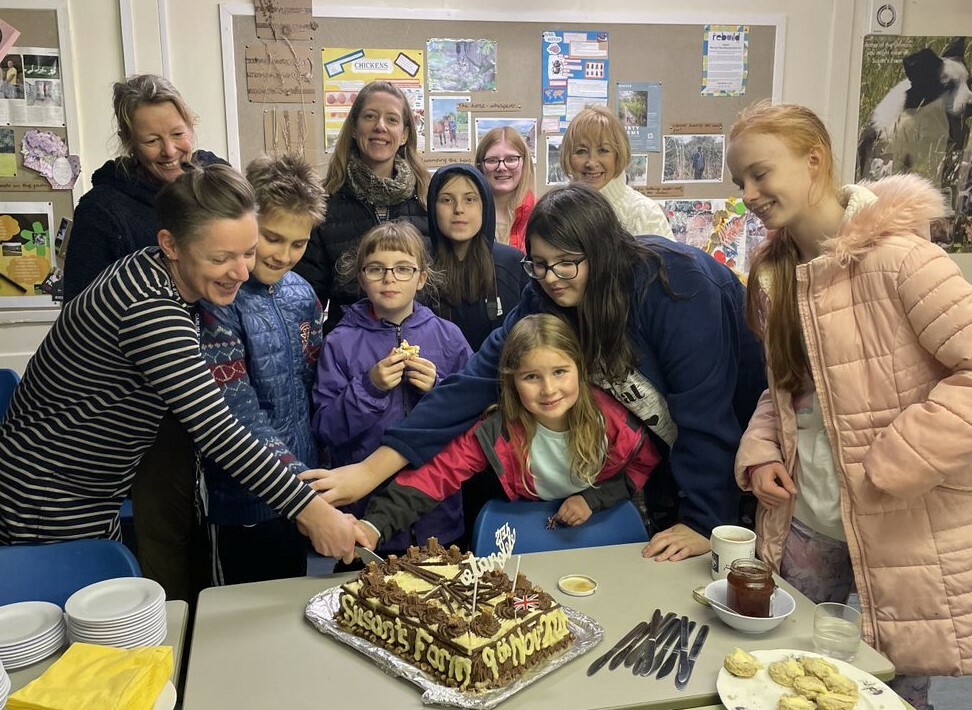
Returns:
<point x="504" y="158"/>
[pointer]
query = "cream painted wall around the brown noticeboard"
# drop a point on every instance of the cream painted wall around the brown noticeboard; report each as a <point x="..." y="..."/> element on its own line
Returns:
<point x="821" y="66"/>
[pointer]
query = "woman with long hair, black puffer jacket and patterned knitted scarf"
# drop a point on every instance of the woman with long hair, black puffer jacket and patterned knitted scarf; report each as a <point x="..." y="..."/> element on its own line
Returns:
<point x="375" y="175"/>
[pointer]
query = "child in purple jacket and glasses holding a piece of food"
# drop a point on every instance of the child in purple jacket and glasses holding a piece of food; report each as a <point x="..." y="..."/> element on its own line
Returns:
<point x="366" y="380"/>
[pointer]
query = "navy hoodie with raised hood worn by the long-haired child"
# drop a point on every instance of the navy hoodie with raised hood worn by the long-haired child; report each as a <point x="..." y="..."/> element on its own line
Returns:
<point x="477" y="320"/>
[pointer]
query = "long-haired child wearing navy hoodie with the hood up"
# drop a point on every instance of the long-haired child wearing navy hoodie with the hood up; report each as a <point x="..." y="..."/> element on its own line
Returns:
<point x="482" y="280"/>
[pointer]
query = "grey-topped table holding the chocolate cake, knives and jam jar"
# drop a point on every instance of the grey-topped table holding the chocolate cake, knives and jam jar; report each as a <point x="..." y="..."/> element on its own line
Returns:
<point x="252" y="647"/>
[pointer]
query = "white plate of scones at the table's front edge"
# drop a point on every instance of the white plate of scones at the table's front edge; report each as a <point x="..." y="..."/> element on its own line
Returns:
<point x="784" y="679"/>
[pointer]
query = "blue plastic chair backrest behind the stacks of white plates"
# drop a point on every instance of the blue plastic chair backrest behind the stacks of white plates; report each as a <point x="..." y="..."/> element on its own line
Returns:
<point x="55" y="571"/>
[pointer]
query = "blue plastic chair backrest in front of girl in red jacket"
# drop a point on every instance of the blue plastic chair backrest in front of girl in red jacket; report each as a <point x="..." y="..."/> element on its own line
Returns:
<point x="615" y="526"/>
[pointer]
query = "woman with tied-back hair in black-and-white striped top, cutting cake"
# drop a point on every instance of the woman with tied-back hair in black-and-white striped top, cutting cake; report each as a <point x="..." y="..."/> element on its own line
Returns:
<point x="122" y="353"/>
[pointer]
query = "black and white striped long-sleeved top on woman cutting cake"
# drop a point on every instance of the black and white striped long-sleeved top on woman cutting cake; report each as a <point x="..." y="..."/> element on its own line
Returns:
<point x="90" y="403"/>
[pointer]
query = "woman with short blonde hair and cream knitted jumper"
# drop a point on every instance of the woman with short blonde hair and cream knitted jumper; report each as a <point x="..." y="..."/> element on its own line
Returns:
<point x="596" y="151"/>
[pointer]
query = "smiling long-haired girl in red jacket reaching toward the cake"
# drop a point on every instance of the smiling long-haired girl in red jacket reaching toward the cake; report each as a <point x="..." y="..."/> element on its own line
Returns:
<point x="551" y="437"/>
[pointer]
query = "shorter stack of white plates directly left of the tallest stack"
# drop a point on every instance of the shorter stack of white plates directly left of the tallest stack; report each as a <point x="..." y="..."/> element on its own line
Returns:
<point x="29" y="632"/>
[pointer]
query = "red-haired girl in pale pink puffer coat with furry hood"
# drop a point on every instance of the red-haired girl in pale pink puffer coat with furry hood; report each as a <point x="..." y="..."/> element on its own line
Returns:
<point x="866" y="328"/>
